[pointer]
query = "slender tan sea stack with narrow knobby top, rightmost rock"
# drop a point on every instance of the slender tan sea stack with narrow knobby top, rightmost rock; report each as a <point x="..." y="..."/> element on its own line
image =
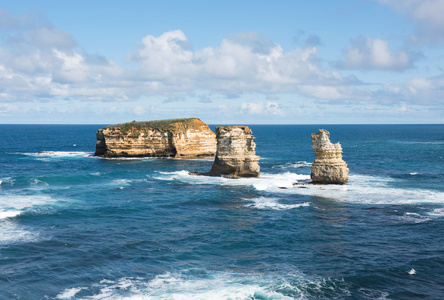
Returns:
<point x="328" y="166"/>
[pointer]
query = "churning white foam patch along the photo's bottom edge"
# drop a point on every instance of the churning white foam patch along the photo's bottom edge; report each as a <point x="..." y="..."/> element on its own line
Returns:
<point x="216" y="285"/>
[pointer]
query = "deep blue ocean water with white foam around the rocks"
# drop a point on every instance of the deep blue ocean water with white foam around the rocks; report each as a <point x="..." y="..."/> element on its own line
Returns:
<point x="75" y="226"/>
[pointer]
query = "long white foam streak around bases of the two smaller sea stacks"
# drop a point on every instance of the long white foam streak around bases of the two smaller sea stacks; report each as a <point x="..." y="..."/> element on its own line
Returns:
<point x="359" y="189"/>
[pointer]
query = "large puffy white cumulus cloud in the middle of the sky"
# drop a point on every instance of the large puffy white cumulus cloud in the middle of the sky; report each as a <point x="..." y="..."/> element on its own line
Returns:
<point x="243" y="63"/>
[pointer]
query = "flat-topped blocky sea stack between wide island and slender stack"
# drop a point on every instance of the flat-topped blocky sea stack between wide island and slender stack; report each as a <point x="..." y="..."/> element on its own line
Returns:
<point x="236" y="154"/>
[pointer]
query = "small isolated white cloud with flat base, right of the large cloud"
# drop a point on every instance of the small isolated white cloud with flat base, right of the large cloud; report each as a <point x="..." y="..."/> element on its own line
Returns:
<point x="369" y="53"/>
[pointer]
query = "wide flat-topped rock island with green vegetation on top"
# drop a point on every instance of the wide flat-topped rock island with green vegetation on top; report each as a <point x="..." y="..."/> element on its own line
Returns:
<point x="178" y="138"/>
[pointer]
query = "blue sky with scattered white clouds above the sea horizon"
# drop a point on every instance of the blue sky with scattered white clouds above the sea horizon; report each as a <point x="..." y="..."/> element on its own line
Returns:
<point x="225" y="62"/>
